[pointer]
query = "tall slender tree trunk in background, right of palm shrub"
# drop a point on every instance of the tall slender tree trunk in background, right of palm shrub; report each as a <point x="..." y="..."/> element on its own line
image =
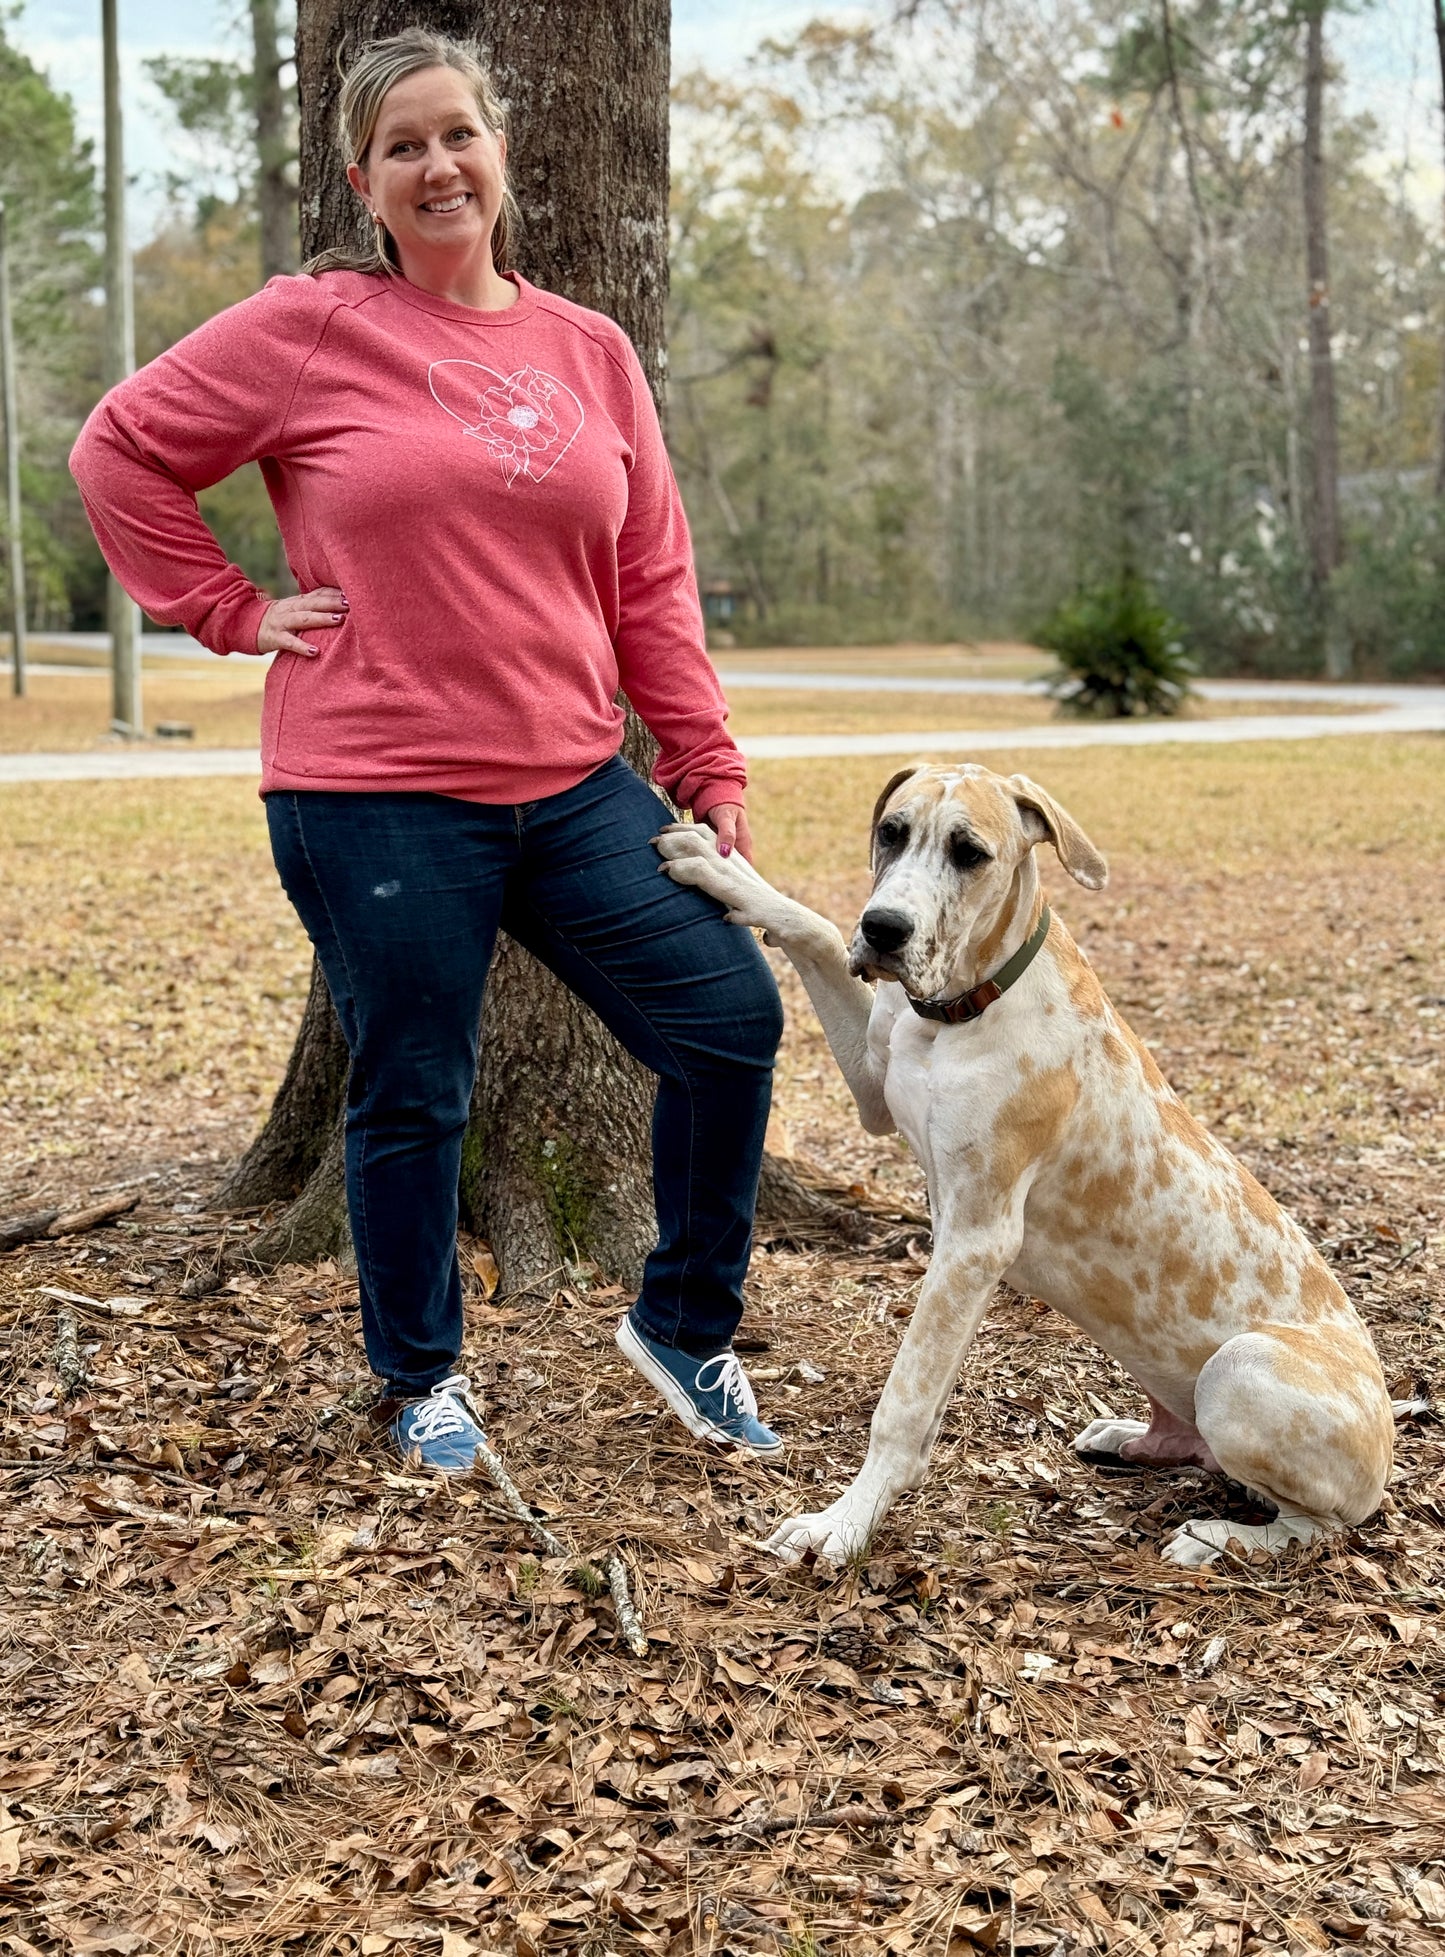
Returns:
<point x="1327" y="545"/>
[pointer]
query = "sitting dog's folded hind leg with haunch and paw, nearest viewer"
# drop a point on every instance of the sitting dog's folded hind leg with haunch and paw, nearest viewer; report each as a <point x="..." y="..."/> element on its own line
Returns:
<point x="1301" y="1418"/>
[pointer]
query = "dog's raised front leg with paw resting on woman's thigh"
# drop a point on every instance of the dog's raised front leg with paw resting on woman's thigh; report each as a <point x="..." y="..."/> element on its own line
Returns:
<point x="814" y="946"/>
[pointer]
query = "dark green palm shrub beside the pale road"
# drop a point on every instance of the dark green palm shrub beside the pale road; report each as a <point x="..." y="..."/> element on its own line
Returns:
<point x="1121" y="653"/>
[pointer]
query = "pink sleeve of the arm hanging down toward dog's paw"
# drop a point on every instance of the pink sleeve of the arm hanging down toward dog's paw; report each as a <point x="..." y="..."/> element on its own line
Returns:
<point x="661" y="647"/>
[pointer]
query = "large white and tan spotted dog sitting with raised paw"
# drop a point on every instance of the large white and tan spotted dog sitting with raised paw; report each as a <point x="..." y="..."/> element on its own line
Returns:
<point x="1060" y="1161"/>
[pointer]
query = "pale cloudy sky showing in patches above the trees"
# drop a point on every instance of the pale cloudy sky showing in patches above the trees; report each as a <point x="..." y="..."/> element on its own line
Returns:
<point x="1387" y="52"/>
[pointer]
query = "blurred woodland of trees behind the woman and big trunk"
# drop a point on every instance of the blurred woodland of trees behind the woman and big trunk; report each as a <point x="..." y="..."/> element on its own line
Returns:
<point x="970" y="308"/>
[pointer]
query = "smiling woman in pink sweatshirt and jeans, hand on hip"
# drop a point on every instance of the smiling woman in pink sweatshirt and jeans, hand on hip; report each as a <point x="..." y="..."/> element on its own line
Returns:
<point x="477" y="502"/>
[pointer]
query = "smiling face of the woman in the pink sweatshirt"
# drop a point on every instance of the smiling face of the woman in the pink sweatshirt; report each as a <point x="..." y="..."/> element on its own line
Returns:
<point x="434" y="171"/>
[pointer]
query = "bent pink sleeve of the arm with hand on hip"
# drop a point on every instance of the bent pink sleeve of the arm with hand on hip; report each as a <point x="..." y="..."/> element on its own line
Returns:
<point x="209" y="406"/>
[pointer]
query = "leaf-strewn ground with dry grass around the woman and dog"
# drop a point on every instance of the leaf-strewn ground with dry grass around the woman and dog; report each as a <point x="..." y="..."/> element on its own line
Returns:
<point x="265" y="1692"/>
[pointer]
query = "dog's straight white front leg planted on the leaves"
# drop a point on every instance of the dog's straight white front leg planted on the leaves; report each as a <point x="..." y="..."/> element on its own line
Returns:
<point x="908" y="1418"/>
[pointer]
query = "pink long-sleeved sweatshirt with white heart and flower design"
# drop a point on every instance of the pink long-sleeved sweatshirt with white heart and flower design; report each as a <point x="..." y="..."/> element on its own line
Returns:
<point x="492" y="494"/>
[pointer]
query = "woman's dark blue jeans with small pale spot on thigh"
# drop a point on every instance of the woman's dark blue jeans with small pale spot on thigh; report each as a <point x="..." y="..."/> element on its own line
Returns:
<point x="402" y="897"/>
